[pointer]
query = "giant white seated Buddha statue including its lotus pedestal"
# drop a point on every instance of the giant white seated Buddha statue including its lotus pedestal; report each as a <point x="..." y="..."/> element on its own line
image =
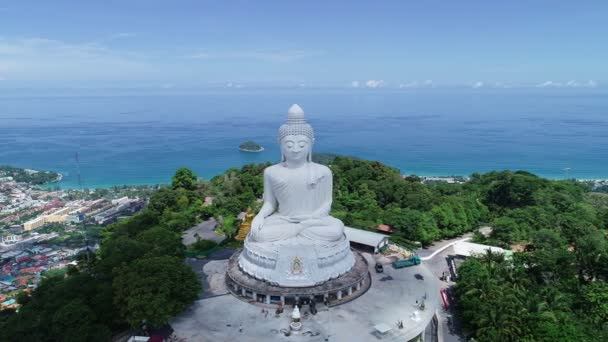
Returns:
<point x="293" y="241"/>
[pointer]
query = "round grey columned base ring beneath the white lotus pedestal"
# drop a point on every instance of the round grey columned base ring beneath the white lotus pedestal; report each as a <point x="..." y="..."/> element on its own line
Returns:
<point x="336" y="291"/>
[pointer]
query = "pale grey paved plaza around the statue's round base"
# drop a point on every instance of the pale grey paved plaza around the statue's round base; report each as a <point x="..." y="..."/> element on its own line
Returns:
<point x="397" y="295"/>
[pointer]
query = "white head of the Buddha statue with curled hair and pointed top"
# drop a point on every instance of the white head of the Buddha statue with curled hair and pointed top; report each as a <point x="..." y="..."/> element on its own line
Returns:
<point x="296" y="137"/>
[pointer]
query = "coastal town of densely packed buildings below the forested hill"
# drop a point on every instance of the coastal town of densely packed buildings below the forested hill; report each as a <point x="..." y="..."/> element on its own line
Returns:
<point x="45" y="230"/>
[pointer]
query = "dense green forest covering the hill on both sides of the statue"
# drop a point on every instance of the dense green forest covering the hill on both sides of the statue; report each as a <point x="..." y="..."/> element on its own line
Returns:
<point x="554" y="287"/>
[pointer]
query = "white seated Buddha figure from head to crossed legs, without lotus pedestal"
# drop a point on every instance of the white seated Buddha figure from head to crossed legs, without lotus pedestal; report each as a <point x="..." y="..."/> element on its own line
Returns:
<point x="297" y="192"/>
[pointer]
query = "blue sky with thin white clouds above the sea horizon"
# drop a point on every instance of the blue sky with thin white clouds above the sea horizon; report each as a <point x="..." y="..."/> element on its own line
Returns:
<point x="307" y="43"/>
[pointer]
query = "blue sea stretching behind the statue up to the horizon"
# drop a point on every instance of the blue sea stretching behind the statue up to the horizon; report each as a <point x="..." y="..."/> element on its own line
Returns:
<point x="143" y="139"/>
